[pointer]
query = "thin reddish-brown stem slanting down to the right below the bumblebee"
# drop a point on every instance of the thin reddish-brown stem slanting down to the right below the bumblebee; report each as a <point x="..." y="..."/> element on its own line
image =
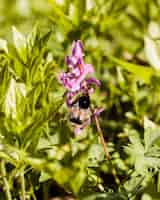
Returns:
<point x="102" y="138"/>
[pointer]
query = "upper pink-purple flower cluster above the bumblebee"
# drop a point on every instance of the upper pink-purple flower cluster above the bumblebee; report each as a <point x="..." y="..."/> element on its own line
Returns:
<point x="75" y="79"/>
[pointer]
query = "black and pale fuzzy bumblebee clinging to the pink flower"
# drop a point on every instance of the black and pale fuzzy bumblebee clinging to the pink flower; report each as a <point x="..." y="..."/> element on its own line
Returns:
<point x="80" y="112"/>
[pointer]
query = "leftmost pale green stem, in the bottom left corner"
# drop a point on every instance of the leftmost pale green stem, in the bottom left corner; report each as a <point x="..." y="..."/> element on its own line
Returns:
<point x="6" y="185"/>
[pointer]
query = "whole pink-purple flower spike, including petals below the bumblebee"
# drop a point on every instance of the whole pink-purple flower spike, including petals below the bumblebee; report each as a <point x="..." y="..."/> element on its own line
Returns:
<point x="78" y="82"/>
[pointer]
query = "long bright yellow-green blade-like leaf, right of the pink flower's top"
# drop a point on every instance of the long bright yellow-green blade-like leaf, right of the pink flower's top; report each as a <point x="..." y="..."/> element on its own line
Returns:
<point x="142" y="73"/>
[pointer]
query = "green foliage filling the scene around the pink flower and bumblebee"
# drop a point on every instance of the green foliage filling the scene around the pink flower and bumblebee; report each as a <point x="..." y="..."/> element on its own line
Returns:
<point x="38" y="148"/>
